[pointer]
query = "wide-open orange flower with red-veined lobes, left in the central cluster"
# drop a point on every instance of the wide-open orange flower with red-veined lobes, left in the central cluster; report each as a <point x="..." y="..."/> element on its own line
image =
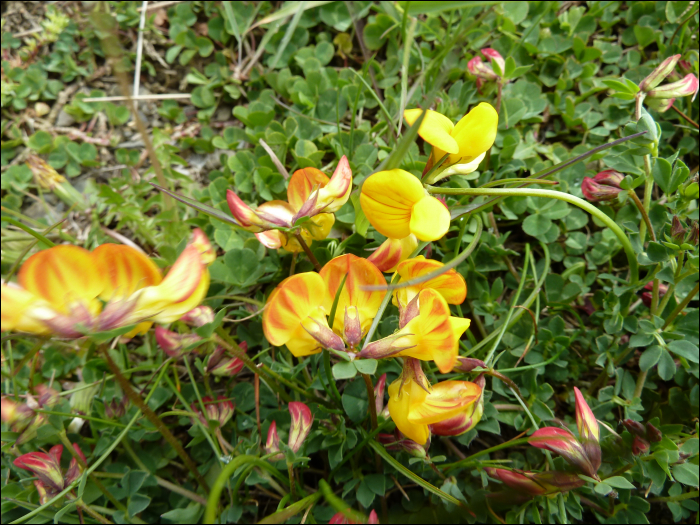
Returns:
<point x="296" y="313"/>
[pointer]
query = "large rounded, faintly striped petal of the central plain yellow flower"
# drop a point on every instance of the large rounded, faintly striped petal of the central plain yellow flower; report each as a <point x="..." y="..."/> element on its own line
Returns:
<point x="388" y="198"/>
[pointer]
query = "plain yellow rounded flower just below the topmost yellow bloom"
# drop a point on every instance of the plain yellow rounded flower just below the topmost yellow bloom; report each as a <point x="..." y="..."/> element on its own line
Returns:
<point x="397" y="205"/>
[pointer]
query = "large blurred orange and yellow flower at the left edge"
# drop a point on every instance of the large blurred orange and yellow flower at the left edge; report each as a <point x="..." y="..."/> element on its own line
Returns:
<point x="69" y="291"/>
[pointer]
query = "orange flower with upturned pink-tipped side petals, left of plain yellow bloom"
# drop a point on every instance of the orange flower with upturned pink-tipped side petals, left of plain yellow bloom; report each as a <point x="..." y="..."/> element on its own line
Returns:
<point x="311" y="195"/>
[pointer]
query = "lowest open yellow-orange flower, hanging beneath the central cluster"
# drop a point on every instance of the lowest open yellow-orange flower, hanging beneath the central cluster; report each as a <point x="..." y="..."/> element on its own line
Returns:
<point x="414" y="404"/>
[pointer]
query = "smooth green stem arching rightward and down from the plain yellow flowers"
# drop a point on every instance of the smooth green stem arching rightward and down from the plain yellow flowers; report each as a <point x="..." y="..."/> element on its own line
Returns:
<point x="506" y="192"/>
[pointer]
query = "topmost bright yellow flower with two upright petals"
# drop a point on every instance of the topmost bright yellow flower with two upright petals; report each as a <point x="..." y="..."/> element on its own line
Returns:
<point x="466" y="142"/>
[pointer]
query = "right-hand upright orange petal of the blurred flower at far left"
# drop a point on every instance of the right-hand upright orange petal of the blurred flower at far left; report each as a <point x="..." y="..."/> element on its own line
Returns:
<point x="124" y="270"/>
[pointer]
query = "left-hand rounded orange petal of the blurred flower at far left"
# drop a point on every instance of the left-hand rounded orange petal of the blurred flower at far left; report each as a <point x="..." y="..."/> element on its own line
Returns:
<point x="61" y="275"/>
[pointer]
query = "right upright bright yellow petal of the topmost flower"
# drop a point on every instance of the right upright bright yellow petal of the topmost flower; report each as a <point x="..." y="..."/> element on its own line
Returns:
<point x="475" y="133"/>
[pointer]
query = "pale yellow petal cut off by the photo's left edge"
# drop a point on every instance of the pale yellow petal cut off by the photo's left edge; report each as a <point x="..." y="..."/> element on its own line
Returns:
<point x="17" y="308"/>
